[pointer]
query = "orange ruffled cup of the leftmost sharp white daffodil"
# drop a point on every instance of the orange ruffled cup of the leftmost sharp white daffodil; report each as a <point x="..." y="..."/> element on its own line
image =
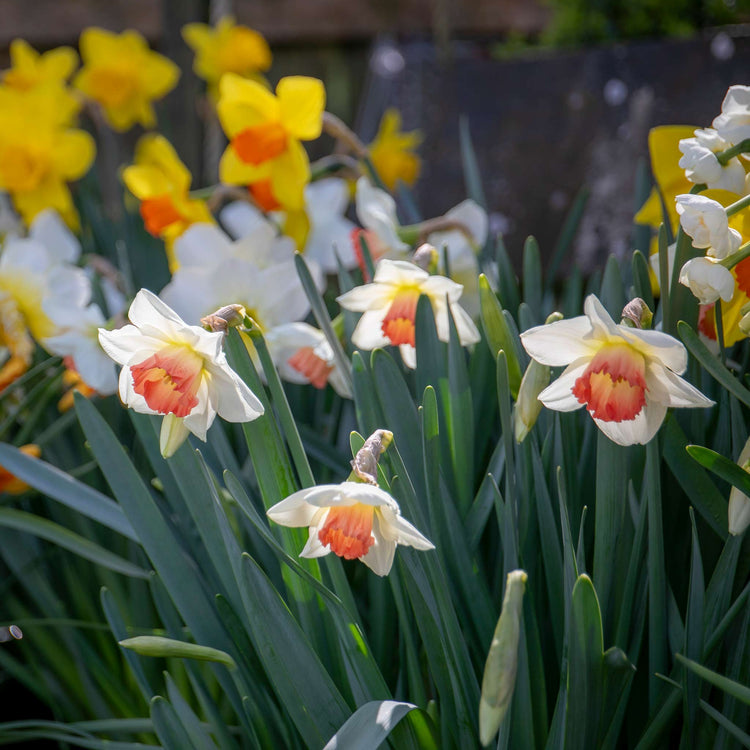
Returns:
<point x="169" y="380"/>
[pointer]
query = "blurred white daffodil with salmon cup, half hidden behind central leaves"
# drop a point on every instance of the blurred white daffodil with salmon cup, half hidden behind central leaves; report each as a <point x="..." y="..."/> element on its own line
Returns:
<point x="302" y="354"/>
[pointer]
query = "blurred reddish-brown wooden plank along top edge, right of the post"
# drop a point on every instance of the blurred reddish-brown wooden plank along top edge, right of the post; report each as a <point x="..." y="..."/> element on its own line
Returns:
<point x="290" y="21"/>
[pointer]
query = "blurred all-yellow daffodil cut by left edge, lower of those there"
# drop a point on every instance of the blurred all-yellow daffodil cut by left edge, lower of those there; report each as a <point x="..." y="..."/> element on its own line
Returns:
<point x="38" y="157"/>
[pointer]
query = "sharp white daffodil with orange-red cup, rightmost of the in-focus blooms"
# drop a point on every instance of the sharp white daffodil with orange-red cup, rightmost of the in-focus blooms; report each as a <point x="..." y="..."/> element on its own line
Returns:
<point x="625" y="377"/>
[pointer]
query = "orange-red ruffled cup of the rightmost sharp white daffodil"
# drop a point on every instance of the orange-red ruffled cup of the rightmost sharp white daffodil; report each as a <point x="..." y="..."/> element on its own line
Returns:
<point x="613" y="386"/>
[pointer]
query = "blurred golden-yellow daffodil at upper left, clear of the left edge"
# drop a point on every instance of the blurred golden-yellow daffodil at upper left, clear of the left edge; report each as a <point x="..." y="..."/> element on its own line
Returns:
<point x="124" y="76"/>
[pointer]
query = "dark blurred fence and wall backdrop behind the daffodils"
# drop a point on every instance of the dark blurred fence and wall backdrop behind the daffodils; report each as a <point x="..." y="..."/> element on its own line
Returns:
<point x="558" y="95"/>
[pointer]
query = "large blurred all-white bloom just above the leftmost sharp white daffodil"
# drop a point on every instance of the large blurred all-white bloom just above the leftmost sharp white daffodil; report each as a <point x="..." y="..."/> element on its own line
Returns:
<point x="214" y="272"/>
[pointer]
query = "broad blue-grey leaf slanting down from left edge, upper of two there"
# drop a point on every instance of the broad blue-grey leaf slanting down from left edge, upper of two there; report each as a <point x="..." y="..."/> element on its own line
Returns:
<point x="60" y="486"/>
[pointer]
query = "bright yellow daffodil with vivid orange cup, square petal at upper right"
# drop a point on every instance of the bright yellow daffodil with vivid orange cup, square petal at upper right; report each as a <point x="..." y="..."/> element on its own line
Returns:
<point x="264" y="134"/>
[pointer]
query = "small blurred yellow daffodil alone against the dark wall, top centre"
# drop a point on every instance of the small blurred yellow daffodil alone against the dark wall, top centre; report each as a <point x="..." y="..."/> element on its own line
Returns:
<point x="392" y="152"/>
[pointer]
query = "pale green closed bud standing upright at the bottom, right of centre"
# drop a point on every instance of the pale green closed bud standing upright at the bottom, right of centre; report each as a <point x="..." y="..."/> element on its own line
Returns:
<point x="499" y="678"/>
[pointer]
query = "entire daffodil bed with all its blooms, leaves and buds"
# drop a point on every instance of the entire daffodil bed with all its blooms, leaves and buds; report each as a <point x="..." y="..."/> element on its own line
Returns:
<point x="281" y="469"/>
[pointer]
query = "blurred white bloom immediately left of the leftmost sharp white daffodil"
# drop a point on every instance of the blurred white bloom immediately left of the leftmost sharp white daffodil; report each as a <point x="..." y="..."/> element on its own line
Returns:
<point x="80" y="341"/>
